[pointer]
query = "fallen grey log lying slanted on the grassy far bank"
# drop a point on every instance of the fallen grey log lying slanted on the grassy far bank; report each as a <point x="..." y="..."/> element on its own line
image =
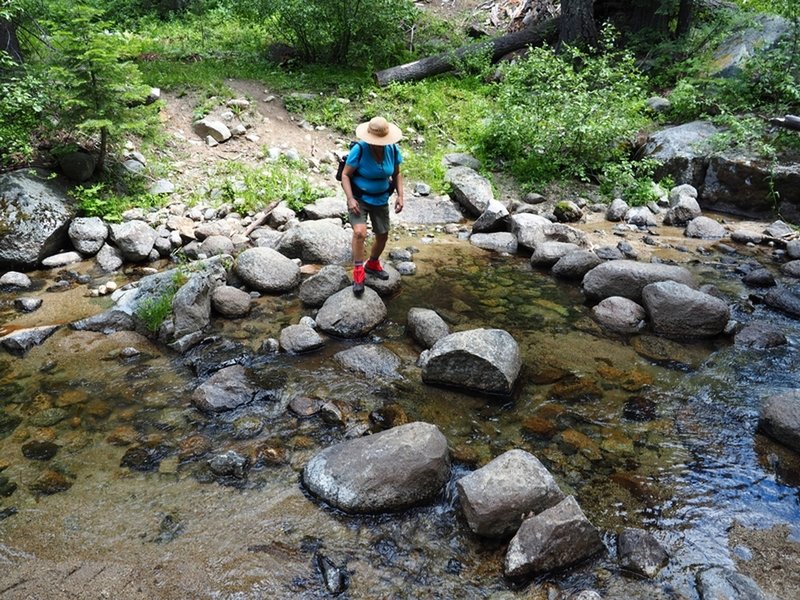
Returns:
<point x="441" y="63"/>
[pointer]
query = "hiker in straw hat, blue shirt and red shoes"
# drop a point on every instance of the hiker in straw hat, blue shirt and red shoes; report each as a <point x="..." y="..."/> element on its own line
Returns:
<point x="371" y="175"/>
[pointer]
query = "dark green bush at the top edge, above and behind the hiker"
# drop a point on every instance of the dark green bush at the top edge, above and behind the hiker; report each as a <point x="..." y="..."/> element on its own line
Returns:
<point x="339" y="31"/>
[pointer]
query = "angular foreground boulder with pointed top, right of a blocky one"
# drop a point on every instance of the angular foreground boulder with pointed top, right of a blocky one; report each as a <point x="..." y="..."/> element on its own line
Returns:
<point x="558" y="537"/>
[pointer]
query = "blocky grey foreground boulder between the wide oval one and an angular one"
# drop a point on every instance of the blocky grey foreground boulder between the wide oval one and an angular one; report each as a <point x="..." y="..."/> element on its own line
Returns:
<point x="496" y="497"/>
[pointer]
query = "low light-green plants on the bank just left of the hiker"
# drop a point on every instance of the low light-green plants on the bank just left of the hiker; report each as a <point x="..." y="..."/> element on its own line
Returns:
<point x="252" y="188"/>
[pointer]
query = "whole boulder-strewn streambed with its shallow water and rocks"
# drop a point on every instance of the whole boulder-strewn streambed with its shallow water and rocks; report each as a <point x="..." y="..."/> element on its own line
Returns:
<point x="174" y="460"/>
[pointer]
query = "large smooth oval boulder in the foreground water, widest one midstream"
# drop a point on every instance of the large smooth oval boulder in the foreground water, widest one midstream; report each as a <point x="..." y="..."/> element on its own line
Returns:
<point x="390" y="470"/>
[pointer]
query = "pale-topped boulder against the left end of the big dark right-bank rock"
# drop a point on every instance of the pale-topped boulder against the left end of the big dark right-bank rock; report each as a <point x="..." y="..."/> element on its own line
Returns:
<point x="682" y="151"/>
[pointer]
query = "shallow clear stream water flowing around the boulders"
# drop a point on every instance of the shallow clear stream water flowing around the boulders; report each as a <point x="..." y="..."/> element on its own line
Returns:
<point x="638" y="443"/>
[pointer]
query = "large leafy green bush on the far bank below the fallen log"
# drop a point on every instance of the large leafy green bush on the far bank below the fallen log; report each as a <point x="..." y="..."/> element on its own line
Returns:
<point x="568" y="115"/>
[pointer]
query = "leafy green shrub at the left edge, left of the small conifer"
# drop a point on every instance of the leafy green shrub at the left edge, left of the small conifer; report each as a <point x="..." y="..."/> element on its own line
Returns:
<point x="22" y="102"/>
